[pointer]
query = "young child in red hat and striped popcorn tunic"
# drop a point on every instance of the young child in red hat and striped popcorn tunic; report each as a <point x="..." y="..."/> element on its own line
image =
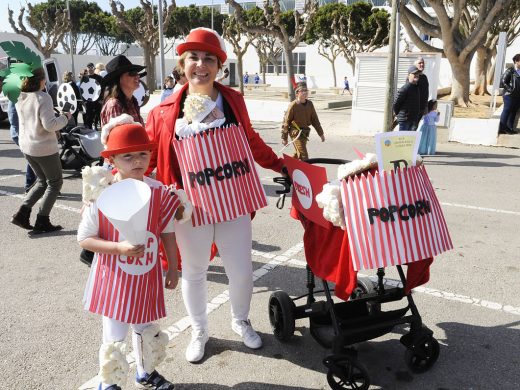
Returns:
<point x="130" y="299"/>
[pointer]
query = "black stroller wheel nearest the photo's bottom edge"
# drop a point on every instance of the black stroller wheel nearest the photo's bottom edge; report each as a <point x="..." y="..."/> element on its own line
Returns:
<point x="347" y="373"/>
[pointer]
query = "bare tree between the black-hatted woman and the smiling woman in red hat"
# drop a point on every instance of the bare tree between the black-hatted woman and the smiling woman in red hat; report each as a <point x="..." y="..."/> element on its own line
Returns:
<point x="142" y="25"/>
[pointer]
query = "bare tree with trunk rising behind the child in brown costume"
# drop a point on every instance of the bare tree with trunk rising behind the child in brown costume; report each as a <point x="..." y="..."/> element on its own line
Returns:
<point x="278" y="28"/>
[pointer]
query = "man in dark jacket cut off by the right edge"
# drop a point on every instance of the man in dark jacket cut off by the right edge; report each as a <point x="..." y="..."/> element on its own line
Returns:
<point x="511" y="84"/>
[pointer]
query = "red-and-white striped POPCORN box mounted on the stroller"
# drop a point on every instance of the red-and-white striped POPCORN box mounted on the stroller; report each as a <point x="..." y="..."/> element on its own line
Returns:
<point x="393" y="218"/>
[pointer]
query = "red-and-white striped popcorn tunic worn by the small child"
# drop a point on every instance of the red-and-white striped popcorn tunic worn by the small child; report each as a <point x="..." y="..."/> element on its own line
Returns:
<point x="130" y="290"/>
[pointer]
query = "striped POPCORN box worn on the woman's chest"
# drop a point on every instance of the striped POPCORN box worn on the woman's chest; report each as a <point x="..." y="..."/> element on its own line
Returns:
<point x="219" y="175"/>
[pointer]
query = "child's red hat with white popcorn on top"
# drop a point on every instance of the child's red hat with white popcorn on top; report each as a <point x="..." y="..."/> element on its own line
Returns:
<point x="125" y="137"/>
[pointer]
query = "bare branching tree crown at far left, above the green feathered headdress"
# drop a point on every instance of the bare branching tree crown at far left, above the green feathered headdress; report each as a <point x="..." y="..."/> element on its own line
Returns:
<point x="49" y="31"/>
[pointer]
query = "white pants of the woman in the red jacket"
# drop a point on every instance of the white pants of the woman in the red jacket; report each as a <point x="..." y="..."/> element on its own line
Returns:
<point x="233" y="240"/>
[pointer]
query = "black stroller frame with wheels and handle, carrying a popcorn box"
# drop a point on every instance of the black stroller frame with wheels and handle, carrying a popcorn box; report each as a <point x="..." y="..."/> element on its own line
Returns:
<point x="339" y="325"/>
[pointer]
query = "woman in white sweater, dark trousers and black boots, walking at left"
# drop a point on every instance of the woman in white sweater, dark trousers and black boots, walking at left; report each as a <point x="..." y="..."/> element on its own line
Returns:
<point x="38" y="142"/>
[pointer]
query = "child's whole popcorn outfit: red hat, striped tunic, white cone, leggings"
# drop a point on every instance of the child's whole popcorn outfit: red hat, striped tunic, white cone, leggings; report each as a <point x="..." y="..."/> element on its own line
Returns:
<point x="125" y="290"/>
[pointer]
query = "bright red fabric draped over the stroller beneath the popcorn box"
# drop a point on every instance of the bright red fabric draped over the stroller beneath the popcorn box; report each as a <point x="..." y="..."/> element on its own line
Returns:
<point x="328" y="255"/>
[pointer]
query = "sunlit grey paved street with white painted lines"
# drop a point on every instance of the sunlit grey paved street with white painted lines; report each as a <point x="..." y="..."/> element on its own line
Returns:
<point x="471" y="302"/>
